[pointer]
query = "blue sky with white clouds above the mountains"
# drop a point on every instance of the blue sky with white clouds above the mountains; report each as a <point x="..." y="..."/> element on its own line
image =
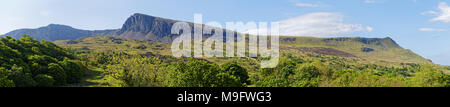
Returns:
<point x="420" y="25"/>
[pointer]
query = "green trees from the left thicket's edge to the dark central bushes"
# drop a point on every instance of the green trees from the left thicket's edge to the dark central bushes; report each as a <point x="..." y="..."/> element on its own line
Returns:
<point x="166" y="71"/>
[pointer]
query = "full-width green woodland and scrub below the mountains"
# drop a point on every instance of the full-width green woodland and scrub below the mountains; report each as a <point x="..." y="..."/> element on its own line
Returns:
<point x="114" y="62"/>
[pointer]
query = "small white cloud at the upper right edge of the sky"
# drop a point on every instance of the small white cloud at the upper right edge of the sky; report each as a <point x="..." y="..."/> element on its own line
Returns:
<point x="444" y="13"/>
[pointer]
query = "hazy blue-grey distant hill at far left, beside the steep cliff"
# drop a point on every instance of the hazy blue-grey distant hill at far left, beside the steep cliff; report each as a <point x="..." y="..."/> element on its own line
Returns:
<point x="54" y="32"/>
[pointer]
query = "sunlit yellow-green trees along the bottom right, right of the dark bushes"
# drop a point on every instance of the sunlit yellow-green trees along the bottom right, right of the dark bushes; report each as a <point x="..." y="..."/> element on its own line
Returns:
<point x="319" y="74"/>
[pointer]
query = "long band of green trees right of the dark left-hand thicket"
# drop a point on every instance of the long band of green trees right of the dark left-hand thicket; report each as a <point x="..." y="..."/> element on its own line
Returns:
<point x="166" y="71"/>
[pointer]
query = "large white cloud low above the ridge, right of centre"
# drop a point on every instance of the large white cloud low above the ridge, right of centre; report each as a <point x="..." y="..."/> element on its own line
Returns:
<point x="319" y="24"/>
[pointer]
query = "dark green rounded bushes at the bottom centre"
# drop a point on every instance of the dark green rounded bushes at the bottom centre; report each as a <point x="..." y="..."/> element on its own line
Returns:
<point x="197" y="73"/>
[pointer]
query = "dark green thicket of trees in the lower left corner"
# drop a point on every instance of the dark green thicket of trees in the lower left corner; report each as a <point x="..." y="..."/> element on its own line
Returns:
<point x="26" y="62"/>
